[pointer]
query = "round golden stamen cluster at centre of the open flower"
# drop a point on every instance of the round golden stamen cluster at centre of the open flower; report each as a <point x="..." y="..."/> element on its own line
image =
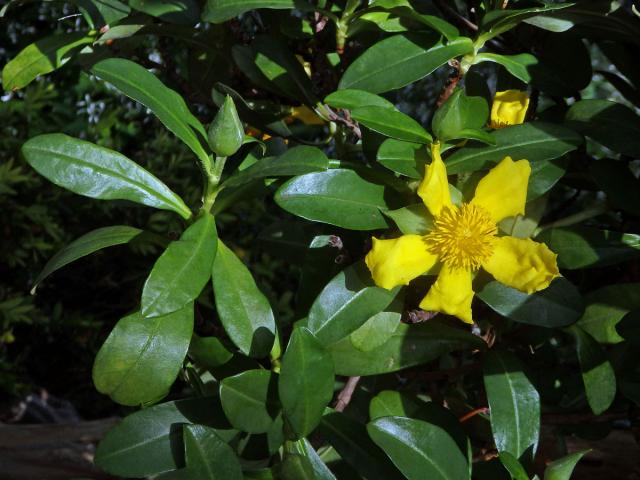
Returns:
<point x="462" y="236"/>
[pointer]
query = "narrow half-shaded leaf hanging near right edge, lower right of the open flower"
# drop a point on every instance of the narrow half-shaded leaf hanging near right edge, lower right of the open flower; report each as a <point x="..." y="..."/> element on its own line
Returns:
<point x="597" y="373"/>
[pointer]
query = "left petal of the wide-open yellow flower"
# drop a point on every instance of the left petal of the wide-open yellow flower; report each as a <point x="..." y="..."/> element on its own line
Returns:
<point x="398" y="261"/>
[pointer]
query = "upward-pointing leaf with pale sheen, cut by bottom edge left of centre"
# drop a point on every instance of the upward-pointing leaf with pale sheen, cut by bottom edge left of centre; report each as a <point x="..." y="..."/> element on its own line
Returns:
<point x="302" y="462"/>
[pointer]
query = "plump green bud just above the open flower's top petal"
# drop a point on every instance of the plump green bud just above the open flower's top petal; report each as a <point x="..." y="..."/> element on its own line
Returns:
<point x="458" y="116"/>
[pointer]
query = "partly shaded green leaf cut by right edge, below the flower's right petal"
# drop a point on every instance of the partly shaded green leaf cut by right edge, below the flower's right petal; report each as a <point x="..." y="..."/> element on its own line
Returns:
<point x="606" y="307"/>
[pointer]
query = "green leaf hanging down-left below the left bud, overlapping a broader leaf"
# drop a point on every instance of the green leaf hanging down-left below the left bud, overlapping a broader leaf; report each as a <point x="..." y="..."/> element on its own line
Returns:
<point x="182" y="271"/>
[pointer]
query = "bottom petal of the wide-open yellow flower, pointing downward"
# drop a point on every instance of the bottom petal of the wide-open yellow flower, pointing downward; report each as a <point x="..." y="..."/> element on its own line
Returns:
<point x="451" y="294"/>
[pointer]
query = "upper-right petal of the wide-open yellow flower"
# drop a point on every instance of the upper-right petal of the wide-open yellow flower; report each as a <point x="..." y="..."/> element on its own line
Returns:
<point x="503" y="191"/>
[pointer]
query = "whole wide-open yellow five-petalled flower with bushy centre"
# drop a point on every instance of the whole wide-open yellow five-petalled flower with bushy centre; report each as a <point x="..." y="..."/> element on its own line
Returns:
<point x="464" y="239"/>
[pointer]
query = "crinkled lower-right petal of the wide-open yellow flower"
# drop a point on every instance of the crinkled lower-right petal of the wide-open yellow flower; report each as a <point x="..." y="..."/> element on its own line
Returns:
<point x="522" y="263"/>
